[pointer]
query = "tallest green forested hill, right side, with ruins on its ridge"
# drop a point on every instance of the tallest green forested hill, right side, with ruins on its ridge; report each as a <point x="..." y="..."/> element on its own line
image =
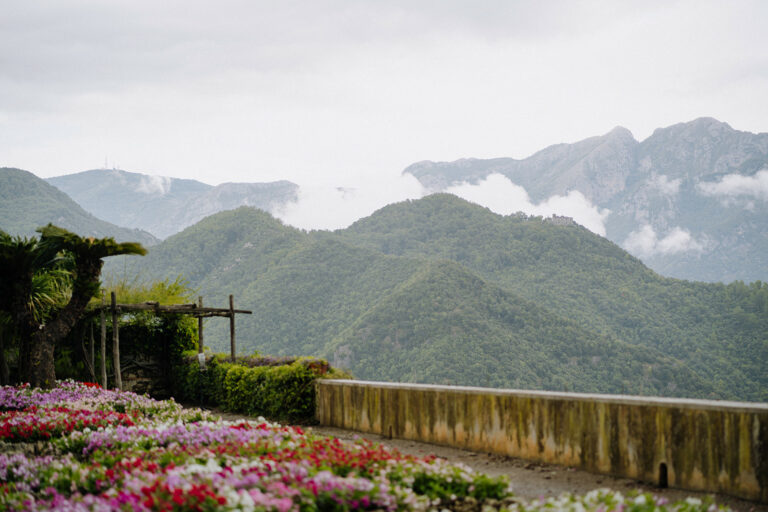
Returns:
<point x="721" y="331"/>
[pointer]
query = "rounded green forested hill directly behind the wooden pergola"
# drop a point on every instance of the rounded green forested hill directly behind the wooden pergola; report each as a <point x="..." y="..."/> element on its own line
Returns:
<point x="302" y="289"/>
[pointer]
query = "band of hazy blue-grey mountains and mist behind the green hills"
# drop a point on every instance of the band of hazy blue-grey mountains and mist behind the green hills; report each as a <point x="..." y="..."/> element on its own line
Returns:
<point x="690" y="200"/>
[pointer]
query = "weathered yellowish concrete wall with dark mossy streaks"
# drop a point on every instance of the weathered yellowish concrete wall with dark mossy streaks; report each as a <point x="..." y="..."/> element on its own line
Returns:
<point x="702" y="445"/>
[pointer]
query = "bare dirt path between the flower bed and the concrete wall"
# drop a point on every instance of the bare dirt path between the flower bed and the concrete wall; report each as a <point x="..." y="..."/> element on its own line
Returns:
<point x="529" y="480"/>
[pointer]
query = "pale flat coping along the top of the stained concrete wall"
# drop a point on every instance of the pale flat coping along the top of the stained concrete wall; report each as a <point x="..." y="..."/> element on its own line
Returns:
<point x="686" y="403"/>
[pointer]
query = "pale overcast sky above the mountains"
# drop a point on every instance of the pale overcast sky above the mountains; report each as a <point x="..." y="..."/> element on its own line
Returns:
<point x="343" y="95"/>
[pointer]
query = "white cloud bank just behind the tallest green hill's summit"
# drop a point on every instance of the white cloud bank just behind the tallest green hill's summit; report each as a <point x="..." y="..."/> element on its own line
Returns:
<point x="504" y="197"/>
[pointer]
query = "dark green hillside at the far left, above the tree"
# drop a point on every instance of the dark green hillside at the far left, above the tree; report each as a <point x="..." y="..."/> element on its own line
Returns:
<point x="28" y="202"/>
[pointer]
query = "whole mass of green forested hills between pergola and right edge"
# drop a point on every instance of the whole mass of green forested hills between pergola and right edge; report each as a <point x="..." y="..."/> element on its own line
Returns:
<point x="440" y="290"/>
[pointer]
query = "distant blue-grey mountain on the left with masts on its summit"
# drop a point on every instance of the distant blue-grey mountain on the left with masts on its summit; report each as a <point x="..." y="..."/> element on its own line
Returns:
<point x="161" y="205"/>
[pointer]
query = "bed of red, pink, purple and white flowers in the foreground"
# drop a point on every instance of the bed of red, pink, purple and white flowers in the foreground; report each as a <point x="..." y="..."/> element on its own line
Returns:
<point x="146" y="455"/>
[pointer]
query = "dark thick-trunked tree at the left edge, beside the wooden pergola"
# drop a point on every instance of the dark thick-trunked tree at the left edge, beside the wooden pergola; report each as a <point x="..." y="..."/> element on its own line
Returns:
<point x="45" y="285"/>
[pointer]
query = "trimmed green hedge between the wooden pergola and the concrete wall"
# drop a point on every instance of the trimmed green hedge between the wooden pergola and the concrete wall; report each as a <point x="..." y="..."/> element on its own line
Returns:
<point x="278" y="389"/>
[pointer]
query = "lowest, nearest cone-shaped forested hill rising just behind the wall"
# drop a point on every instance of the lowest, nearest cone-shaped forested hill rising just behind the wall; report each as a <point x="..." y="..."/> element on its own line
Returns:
<point x="446" y="325"/>
